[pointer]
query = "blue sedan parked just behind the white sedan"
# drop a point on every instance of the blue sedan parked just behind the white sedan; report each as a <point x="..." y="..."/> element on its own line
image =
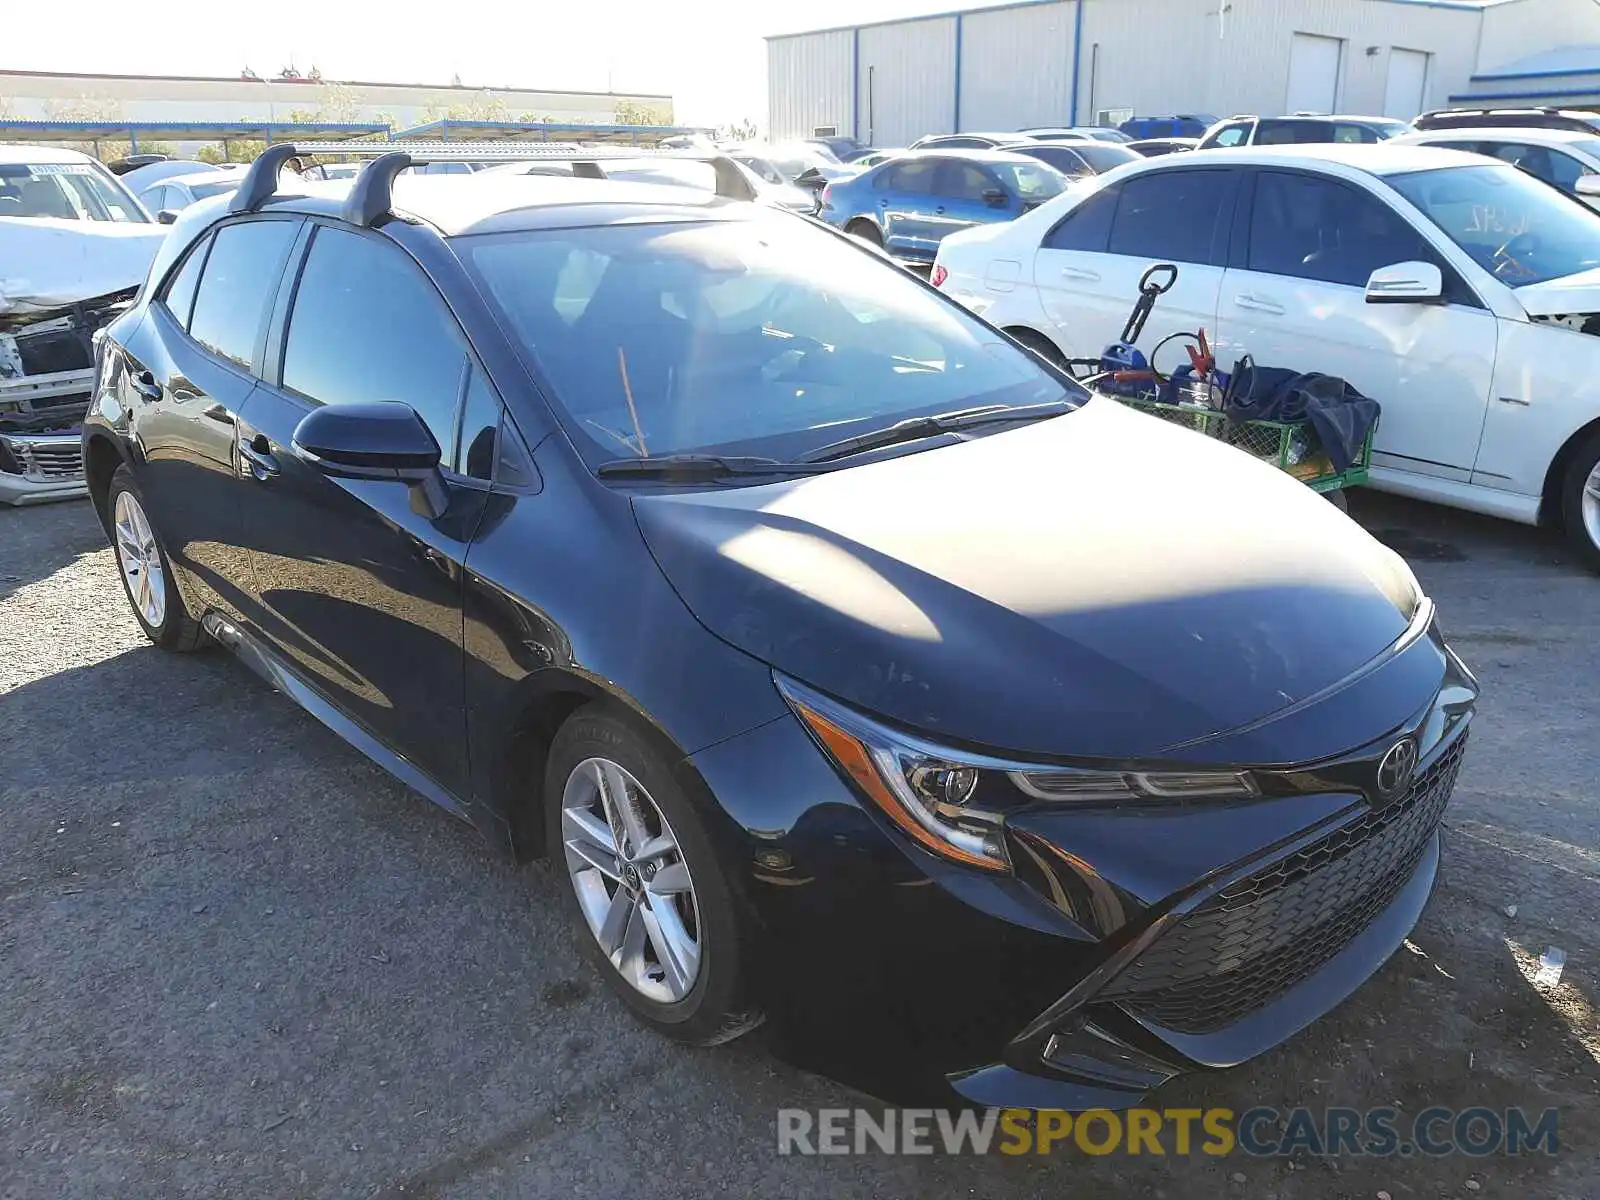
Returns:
<point x="910" y="204"/>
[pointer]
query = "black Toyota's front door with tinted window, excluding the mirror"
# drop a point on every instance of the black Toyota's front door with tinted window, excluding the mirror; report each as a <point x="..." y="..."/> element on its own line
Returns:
<point x="359" y="591"/>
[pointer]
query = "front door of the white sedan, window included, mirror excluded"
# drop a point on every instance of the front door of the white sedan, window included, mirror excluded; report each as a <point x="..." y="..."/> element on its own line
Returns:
<point x="1297" y="298"/>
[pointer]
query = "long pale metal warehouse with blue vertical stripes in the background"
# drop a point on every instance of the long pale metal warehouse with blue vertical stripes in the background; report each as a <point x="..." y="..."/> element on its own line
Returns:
<point x="1100" y="62"/>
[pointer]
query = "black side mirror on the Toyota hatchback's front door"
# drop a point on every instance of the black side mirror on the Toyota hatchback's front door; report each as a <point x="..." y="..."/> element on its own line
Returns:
<point x="383" y="441"/>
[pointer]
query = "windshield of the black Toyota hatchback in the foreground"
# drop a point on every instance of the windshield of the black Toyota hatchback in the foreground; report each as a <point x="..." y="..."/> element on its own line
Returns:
<point x="751" y="337"/>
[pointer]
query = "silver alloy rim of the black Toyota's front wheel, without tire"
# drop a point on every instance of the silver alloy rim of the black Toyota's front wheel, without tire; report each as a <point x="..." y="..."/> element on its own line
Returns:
<point x="631" y="881"/>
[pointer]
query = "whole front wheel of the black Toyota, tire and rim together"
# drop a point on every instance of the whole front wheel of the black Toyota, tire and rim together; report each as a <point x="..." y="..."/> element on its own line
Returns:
<point x="708" y="1009"/>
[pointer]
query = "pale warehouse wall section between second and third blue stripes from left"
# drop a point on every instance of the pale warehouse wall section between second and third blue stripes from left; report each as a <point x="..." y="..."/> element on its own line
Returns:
<point x="1017" y="68"/>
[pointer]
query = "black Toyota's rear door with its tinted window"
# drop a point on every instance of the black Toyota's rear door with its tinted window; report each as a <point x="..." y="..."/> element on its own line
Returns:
<point x="191" y="372"/>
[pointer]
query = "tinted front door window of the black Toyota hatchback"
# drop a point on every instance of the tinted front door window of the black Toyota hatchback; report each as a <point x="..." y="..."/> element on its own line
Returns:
<point x="369" y="326"/>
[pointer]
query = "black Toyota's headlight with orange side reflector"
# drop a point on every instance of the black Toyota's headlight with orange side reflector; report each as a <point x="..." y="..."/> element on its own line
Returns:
<point x="954" y="802"/>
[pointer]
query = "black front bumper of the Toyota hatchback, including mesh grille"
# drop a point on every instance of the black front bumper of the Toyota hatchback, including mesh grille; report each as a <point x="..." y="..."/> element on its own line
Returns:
<point x="1129" y="946"/>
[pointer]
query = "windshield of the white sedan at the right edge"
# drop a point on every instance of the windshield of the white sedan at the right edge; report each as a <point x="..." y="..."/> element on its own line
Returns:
<point x="1514" y="226"/>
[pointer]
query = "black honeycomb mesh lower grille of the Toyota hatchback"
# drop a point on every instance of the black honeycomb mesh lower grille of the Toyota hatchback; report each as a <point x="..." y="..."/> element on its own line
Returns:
<point x="1268" y="932"/>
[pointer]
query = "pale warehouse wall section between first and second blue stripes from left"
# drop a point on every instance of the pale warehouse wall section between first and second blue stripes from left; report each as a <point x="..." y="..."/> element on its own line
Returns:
<point x="906" y="82"/>
